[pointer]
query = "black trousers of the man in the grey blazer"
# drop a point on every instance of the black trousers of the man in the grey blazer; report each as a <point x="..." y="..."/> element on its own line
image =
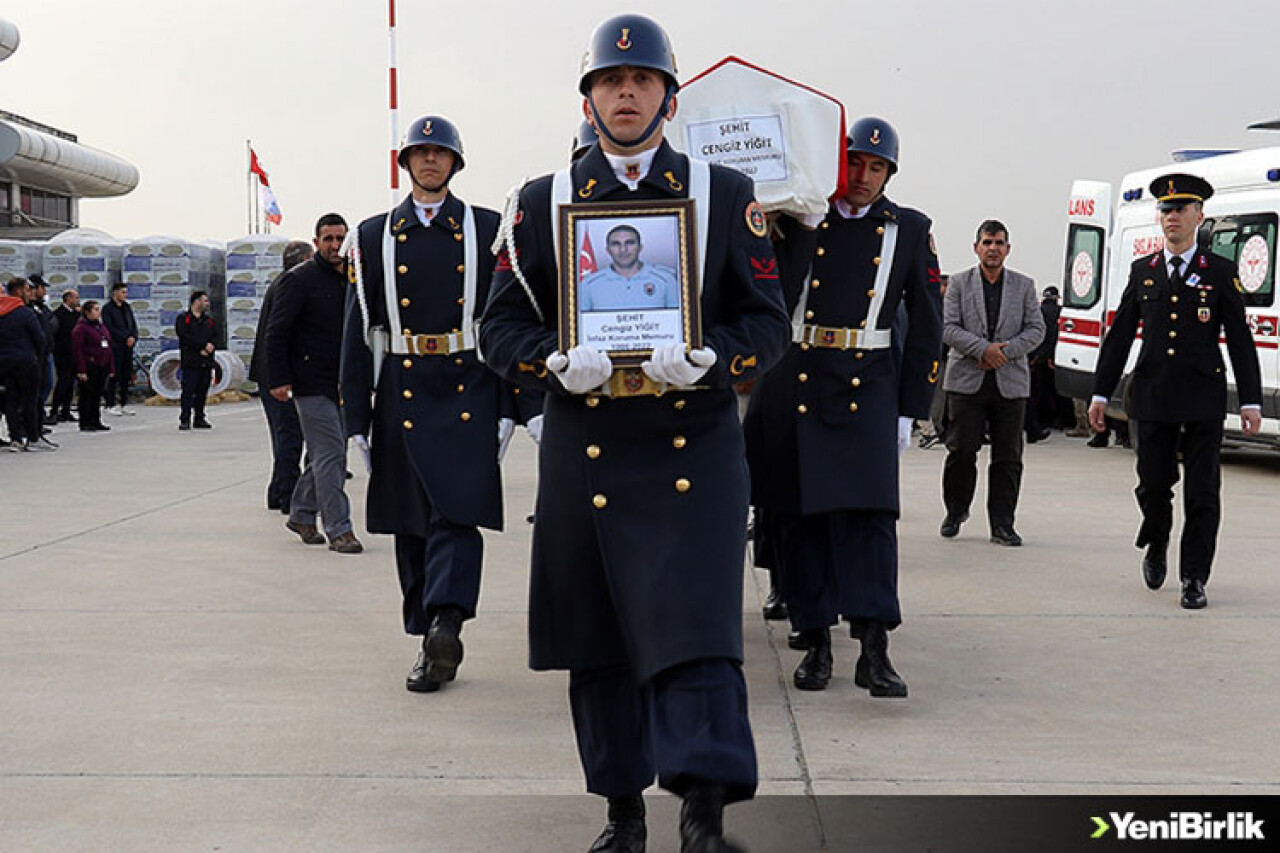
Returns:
<point x="971" y="417"/>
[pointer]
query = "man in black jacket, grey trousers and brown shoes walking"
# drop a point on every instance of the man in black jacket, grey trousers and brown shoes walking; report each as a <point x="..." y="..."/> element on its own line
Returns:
<point x="304" y="344"/>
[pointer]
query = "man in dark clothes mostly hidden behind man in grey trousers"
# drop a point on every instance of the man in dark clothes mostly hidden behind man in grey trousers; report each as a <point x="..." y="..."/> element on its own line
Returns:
<point x="282" y="418"/>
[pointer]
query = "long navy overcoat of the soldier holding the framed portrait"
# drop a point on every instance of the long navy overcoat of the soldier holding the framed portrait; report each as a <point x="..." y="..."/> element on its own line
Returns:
<point x="642" y="510"/>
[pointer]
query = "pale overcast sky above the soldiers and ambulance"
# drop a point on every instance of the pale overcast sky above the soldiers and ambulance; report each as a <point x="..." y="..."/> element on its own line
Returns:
<point x="1000" y="104"/>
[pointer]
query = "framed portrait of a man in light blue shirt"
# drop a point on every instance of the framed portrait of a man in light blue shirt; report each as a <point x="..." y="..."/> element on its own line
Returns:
<point x="628" y="279"/>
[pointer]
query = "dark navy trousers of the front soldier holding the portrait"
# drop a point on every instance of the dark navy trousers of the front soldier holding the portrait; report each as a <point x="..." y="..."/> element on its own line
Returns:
<point x="687" y="726"/>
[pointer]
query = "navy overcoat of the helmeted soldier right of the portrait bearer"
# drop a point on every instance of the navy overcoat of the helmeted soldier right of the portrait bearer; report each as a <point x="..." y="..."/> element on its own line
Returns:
<point x="822" y="426"/>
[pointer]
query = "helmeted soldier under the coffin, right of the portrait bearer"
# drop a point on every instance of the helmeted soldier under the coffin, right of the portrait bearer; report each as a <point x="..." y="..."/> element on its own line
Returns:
<point x="824" y="427"/>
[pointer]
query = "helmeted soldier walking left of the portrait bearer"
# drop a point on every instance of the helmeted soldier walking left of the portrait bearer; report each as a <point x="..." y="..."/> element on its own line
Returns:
<point x="415" y="390"/>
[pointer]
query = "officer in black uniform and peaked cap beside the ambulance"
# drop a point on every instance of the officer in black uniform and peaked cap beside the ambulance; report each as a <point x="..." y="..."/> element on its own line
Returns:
<point x="1186" y="298"/>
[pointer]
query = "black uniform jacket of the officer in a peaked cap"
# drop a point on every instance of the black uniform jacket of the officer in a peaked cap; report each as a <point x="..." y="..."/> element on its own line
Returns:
<point x="1180" y="376"/>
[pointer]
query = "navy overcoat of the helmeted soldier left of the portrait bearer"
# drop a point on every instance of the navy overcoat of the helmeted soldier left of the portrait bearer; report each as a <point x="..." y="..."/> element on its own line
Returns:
<point x="435" y="428"/>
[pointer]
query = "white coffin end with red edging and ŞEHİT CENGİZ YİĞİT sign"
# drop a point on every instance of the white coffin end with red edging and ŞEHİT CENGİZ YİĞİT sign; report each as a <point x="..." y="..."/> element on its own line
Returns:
<point x="787" y="136"/>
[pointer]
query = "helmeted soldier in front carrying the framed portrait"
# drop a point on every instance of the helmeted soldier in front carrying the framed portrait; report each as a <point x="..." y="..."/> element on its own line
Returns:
<point x="641" y="530"/>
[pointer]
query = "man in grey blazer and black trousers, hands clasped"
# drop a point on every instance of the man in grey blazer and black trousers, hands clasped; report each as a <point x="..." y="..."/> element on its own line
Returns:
<point x="991" y="320"/>
